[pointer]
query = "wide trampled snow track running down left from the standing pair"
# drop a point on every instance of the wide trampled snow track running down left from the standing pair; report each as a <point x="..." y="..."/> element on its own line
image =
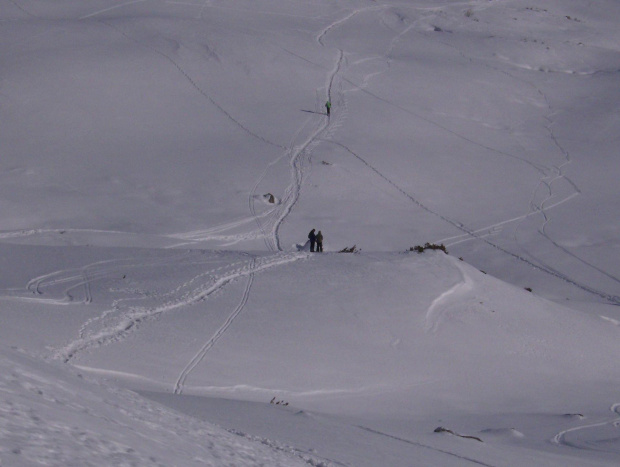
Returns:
<point x="127" y="320"/>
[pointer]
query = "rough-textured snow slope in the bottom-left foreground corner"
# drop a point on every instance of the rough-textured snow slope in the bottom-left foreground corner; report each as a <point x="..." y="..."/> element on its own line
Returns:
<point x="53" y="416"/>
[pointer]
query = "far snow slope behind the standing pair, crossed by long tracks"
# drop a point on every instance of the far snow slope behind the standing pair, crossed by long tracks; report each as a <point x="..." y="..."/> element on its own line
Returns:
<point x="488" y="125"/>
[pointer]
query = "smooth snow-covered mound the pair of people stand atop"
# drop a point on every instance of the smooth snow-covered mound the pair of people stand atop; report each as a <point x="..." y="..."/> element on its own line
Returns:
<point x="365" y="350"/>
